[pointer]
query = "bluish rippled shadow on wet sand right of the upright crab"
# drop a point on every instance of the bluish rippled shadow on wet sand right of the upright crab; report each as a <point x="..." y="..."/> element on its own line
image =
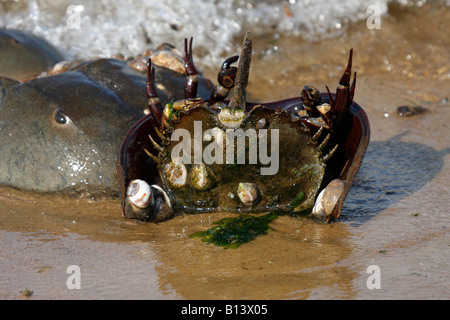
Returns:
<point x="391" y="171"/>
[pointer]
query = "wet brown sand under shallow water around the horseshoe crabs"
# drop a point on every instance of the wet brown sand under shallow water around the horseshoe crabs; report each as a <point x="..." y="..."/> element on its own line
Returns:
<point x="395" y="216"/>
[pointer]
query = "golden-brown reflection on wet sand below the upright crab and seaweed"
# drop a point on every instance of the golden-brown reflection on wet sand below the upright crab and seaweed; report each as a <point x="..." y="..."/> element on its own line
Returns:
<point x="297" y="259"/>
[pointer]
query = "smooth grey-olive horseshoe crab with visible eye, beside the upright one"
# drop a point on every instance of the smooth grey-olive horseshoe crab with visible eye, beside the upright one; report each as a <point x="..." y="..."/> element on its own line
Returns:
<point x="62" y="131"/>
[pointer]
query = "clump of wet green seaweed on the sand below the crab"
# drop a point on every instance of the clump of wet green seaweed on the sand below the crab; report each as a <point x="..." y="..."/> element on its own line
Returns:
<point x="230" y="233"/>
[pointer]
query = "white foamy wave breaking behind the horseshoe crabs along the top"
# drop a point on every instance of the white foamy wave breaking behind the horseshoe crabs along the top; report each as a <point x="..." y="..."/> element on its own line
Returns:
<point x="108" y="27"/>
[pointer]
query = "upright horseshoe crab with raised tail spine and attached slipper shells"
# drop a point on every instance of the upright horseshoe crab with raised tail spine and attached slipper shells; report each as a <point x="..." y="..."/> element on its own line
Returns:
<point x="317" y="142"/>
